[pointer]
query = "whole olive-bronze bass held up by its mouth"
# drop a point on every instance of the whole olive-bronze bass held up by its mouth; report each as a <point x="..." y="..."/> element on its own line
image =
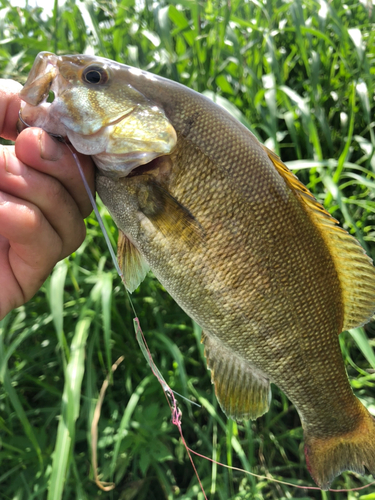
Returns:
<point x="235" y="238"/>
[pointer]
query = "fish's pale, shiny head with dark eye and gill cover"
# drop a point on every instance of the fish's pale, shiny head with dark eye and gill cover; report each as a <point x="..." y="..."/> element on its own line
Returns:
<point x="97" y="110"/>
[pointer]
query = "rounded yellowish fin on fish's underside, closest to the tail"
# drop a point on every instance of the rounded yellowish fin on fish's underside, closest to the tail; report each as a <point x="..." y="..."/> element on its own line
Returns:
<point x="243" y="393"/>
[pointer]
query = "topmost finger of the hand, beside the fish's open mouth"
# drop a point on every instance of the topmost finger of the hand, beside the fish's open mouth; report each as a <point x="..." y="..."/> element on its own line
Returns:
<point x="10" y="103"/>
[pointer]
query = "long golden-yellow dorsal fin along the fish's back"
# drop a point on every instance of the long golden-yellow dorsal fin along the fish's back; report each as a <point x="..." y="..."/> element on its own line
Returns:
<point x="354" y="268"/>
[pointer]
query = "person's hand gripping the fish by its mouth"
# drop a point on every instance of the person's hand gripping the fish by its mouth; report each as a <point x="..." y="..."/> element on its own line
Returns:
<point x="42" y="204"/>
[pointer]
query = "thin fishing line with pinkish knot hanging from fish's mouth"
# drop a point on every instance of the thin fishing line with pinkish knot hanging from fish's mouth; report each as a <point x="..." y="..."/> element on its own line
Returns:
<point x="168" y="392"/>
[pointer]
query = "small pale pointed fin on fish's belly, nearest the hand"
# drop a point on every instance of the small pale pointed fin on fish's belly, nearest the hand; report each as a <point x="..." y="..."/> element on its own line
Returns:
<point x="132" y="264"/>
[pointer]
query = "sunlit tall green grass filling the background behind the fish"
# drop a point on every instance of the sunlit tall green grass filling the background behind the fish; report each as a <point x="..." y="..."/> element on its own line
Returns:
<point x="300" y="75"/>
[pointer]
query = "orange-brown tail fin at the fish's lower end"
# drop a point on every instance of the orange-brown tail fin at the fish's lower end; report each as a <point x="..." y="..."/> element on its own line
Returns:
<point x="326" y="458"/>
